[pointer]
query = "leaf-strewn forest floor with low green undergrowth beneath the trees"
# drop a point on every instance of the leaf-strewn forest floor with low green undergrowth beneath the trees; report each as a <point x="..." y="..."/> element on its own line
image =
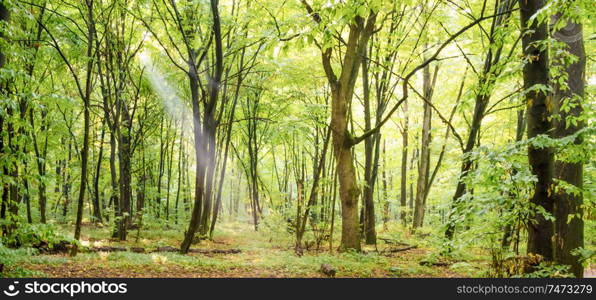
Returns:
<point x="260" y="256"/>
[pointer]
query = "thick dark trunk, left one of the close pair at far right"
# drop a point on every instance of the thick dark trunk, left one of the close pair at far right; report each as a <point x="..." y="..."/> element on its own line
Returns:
<point x="539" y="110"/>
